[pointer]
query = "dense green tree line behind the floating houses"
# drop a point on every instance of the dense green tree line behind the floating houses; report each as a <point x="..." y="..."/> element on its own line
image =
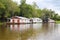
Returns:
<point x="8" y="8"/>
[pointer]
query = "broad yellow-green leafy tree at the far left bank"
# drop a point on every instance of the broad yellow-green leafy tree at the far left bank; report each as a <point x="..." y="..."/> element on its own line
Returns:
<point x="8" y="8"/>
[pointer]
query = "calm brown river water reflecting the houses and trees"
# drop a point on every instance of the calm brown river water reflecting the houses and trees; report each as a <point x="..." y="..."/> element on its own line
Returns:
<point x="38" y="31"/>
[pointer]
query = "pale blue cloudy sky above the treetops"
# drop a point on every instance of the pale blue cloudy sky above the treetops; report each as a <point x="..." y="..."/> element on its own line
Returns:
<point x="49" y="4"/>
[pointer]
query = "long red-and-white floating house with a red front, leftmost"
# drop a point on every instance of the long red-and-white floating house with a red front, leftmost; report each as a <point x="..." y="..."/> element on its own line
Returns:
<point x="17" y="19"/>
